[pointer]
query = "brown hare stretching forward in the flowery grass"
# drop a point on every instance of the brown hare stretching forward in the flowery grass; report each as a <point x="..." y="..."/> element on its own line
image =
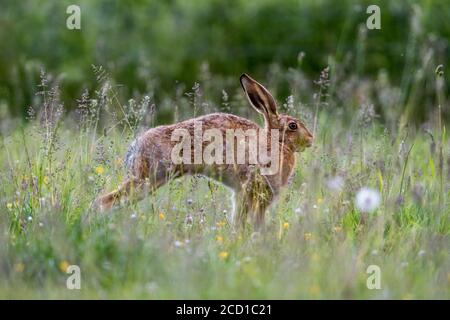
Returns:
<point x="150" y="162"/>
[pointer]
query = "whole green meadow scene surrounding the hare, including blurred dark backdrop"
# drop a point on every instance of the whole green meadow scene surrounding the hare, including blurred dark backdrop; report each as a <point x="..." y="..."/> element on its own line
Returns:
<point x="71" y="102"/>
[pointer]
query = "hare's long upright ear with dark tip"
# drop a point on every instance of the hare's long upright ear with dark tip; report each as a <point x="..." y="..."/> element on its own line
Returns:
<point x="260" y="98"/>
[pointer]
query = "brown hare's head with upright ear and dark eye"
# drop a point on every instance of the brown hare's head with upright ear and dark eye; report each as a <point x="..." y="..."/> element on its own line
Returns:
<point x="293" y="133"/>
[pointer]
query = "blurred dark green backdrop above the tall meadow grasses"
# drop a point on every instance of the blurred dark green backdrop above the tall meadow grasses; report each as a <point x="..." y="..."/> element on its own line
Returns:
<point x="155" y="48"/>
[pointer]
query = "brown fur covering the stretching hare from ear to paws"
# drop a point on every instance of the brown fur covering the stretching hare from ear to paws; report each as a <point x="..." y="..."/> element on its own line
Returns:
<point x="150" y="164"/>
